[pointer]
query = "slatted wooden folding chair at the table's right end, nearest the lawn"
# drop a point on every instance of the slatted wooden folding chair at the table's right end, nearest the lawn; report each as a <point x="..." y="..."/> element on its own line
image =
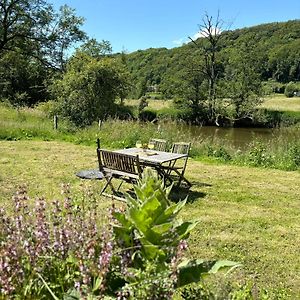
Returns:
<point x="179" y="166"/>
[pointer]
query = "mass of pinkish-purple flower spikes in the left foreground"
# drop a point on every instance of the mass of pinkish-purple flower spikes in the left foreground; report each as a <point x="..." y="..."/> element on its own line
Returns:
<point x="51" y="252"/>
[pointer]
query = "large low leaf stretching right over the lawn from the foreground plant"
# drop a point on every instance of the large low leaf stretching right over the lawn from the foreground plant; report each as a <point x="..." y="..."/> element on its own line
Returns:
<point x="194" y="270"/>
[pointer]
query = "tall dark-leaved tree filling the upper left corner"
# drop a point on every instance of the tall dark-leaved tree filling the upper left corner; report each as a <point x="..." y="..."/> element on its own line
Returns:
<point x="34" y="42"/>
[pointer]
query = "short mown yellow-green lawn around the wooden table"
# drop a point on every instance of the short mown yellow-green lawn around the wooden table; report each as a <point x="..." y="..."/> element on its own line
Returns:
<point x="249" y="215"/>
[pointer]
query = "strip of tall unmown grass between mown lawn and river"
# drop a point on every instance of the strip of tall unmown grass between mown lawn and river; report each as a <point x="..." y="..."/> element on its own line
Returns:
<point x="280" y="152"/>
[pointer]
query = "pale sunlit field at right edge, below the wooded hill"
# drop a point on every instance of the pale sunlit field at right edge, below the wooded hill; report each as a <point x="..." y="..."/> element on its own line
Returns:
<point x="281" y="103"/>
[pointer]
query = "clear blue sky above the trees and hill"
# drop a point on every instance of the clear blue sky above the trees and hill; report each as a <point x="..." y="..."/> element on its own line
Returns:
<point x="130" y="25"/>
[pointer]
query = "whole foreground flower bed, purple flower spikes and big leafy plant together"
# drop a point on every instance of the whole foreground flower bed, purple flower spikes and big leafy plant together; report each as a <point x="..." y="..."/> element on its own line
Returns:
<point x="60" y="252"/>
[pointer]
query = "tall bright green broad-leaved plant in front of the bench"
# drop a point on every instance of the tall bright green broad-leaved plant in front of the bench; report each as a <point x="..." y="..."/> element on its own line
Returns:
<point x="154" y="240"/>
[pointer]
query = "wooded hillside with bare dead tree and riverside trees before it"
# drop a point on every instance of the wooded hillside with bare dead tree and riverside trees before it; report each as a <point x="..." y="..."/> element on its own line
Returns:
<point x="218" y="78"/>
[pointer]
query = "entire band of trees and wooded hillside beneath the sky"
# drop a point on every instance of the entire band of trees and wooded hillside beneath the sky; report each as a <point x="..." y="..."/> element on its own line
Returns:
<point x="216" y="79"/>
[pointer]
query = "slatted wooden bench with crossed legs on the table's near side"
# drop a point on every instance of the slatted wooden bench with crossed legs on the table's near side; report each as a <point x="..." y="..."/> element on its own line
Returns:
<point x="117" y="166"/>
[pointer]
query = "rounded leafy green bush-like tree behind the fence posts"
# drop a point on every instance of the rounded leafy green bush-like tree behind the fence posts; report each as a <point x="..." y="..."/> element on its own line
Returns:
<point x="89" y="88"/>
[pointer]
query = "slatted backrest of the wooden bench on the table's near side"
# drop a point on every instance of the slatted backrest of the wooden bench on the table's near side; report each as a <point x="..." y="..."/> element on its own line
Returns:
<point x="122" y="163"/>
